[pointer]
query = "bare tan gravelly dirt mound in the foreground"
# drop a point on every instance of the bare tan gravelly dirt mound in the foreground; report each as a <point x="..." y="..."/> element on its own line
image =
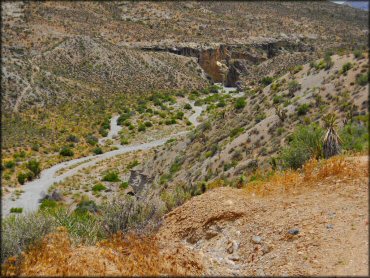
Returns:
<point x="313" y="230"/>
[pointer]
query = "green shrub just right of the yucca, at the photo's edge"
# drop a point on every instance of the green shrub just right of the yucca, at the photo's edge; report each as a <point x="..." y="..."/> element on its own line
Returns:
<point x="355" y="136"/>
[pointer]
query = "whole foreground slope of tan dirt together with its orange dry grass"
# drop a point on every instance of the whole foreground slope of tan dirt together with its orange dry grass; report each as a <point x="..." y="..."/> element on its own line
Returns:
<point x="311" y="223"/>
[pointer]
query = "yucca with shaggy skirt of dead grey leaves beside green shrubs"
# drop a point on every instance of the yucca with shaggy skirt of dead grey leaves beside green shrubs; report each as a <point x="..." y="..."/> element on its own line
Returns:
<point x="332" y="141"/>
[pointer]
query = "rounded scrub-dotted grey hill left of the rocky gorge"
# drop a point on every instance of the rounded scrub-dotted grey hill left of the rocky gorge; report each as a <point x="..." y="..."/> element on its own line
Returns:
<point x="81" y="67"/>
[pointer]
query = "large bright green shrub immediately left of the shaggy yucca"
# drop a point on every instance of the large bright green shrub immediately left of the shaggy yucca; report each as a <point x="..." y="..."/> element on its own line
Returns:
<point x="305" y="143"/>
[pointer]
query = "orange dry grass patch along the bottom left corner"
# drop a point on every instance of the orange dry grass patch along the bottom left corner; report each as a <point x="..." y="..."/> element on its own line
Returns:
<point x="120" y="255"/>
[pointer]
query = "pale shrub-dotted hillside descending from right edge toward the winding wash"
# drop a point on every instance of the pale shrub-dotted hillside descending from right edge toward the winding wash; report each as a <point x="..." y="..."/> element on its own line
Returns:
<point x="235" y="142"/>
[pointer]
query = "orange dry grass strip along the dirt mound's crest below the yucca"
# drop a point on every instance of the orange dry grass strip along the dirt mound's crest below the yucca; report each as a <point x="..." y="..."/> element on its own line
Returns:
<point x="313" y="173"/>
